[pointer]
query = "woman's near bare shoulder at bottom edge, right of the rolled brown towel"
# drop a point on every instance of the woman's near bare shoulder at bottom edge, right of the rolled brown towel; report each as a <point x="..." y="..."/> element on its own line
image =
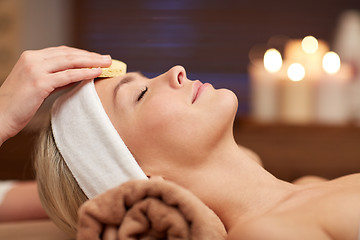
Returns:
<point x="274" y="228"/>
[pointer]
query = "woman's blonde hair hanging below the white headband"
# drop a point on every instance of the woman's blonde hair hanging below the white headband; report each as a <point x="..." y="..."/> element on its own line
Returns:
<point x="59" y="192"/>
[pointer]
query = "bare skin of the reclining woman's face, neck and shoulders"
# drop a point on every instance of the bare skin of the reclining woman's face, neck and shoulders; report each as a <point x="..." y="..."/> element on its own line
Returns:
<point x="192" y="144"/>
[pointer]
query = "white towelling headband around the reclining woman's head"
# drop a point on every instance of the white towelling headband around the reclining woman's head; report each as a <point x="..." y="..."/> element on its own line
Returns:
<point x="89" y="143"/>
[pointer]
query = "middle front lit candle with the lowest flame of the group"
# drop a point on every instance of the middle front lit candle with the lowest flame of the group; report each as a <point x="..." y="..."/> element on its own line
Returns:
<point x="297" y="96"/>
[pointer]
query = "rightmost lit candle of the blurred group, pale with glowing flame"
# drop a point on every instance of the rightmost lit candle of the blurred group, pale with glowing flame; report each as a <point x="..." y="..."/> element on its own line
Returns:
<point x="333" y="92"/>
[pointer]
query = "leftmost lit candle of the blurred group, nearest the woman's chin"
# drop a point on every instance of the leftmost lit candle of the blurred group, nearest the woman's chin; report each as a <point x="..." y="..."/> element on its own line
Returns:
<point x="264" y="86"/>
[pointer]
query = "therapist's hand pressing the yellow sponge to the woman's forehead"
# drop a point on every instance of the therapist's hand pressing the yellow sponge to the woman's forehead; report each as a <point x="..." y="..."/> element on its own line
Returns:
<point x="36" y="75"/>
